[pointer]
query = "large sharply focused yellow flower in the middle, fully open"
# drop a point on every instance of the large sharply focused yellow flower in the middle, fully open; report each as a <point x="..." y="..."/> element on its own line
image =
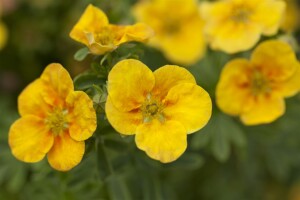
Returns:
<point x="159" y="108"/>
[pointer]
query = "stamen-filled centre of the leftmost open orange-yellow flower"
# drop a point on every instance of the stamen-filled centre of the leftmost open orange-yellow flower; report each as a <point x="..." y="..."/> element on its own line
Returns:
<point x="57" y="121"/>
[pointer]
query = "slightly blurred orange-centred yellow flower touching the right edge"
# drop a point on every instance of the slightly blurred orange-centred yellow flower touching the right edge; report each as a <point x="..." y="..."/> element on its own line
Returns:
<point x="255" y="89"/>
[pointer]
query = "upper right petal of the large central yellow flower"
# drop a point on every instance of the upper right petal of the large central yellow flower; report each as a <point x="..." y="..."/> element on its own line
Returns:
<point x="168" y="76"/>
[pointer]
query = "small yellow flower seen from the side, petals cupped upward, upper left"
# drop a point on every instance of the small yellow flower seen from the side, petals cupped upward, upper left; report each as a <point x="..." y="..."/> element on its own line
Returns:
<point x="93" y="30"/>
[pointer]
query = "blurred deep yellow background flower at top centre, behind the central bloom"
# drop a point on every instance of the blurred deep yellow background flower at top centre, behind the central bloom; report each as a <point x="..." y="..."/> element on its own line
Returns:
<point x="178" y="28"/>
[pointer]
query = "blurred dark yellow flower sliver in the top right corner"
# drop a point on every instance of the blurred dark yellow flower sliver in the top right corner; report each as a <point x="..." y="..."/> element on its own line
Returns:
<point x="292" y="16"/>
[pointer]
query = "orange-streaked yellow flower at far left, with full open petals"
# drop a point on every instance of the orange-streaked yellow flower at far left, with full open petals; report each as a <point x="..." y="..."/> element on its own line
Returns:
<point x="55" y="120"/>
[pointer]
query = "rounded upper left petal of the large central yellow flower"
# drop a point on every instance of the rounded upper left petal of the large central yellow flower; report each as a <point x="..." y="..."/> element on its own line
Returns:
<point x="128" y="83"/>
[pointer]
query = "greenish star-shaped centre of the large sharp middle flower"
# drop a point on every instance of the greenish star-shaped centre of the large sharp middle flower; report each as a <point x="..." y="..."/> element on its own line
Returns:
<point x="151" y="109"/>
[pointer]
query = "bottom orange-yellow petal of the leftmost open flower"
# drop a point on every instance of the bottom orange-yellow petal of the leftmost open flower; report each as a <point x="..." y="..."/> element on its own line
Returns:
<point x="66" y="153"/>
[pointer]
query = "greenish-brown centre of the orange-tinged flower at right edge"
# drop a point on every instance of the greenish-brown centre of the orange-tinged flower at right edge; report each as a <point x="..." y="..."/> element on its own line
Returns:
<point x="259" y="84"/>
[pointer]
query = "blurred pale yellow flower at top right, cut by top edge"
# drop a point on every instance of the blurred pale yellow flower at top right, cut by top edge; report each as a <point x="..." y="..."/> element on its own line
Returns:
<point x="236" y="25"/>
